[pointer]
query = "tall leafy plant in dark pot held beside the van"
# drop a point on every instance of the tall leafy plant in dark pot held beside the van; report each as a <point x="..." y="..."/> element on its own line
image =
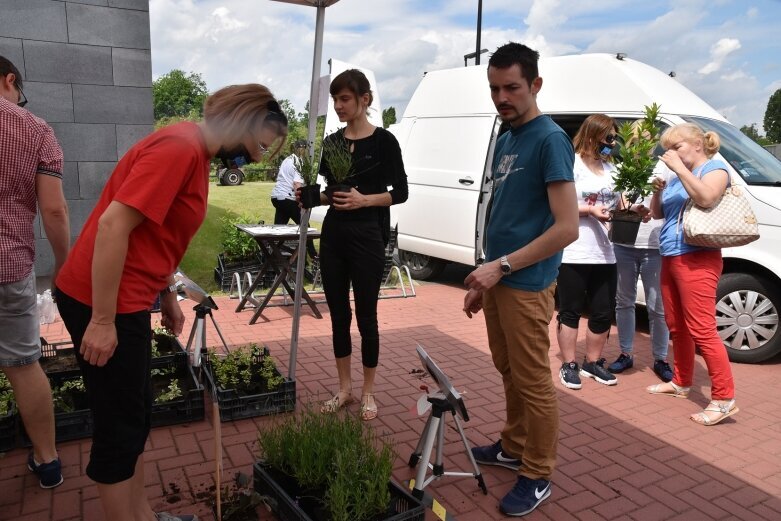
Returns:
<point x="636" y="144"/>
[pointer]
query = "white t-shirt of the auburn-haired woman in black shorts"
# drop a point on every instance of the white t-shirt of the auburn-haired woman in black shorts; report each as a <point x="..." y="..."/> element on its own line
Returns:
<point x="593" y="245"/>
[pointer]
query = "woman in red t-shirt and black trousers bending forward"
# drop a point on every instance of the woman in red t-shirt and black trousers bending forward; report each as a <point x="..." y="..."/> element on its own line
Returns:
<point x="128" y="250"/>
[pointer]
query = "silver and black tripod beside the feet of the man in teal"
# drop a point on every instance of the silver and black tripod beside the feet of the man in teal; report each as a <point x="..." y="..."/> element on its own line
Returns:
<point x="435" y="430"/>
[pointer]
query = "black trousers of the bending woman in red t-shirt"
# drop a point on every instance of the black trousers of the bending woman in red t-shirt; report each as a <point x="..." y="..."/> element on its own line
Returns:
<point x="119" y="393"/>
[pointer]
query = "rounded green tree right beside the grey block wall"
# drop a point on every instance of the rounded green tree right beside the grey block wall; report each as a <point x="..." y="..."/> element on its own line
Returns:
<point x="179" y="95"/>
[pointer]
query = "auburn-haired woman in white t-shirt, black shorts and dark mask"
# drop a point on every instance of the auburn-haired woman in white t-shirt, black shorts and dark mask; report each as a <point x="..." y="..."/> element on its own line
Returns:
<point x="587" y="275"/>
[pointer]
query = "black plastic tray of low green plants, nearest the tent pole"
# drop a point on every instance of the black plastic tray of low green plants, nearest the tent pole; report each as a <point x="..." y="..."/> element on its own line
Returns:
<point x="234" y="405"/>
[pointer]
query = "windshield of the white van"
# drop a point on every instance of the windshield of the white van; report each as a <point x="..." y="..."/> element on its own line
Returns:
<point x="755" y="165"/>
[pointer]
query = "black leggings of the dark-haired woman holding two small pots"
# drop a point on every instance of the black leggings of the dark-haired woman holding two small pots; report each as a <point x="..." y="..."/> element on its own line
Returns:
<point x="353" y="251"/>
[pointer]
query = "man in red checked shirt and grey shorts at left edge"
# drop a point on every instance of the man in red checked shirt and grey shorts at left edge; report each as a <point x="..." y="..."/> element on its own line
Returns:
<point x="31" y="165"/>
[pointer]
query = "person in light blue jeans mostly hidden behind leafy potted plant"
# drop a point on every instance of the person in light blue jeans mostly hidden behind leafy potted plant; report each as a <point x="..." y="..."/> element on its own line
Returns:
<point x="642" y="260"/>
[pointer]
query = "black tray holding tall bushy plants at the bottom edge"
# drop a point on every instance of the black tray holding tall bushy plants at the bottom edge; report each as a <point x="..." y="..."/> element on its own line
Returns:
<point x="267" y="482"/>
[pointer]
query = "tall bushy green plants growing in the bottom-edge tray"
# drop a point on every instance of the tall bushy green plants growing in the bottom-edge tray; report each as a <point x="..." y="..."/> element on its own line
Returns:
<point x="336" y="453"/>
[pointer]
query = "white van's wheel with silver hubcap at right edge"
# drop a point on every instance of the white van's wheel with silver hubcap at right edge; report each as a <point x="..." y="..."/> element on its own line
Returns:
<point x="747" y="308"/>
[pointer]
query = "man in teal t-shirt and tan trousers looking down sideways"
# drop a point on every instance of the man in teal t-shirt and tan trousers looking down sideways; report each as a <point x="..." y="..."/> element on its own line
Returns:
<point x="534" y="215"/>
